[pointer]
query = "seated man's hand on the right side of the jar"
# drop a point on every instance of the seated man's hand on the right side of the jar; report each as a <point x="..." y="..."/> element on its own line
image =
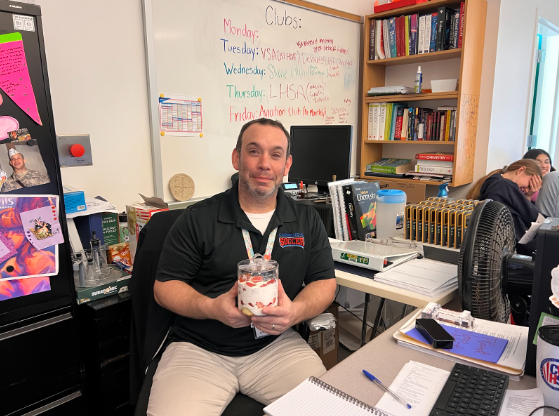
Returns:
<point x="279" y="318"/>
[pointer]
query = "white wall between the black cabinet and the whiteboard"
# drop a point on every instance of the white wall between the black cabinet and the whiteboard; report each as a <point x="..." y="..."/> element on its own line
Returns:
<point x="96" y="66"/>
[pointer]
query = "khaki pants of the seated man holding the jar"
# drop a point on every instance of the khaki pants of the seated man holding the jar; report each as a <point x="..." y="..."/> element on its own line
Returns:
<point x="192" y="381"/>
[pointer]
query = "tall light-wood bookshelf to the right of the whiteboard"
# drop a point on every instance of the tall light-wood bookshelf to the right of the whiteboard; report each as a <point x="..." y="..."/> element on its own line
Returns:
<point x="466" y="99"/>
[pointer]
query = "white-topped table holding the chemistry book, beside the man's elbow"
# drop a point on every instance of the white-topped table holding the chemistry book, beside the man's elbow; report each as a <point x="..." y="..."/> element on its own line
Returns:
<point x="371" y="287"/>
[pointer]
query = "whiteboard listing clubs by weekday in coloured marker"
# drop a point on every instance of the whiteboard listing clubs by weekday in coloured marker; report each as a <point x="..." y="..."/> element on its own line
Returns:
<point x="245" y="59"/>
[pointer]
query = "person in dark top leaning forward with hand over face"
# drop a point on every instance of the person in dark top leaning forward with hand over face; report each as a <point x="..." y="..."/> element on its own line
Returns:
<point x="503" y="185"/>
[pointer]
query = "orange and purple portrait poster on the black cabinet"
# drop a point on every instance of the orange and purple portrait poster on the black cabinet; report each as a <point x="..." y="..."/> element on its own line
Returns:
<point x="28" y="261"/>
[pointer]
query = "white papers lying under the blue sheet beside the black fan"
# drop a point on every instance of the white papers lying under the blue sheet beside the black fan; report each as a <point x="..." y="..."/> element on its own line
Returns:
<point x="514" y="356"/>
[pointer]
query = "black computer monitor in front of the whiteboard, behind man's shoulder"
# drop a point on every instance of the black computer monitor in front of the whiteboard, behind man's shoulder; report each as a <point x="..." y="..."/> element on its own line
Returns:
<point x="319" y="153"/>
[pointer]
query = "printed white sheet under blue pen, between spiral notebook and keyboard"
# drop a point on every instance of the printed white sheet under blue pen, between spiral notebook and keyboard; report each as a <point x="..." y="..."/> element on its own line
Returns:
<point x="419" y="384"/>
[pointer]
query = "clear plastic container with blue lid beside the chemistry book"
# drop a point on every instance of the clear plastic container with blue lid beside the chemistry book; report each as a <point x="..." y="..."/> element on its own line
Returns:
<point x="391" y="204"/>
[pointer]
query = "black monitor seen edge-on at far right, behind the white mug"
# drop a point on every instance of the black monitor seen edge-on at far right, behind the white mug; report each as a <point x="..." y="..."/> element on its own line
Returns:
<point x="545" y="261"/>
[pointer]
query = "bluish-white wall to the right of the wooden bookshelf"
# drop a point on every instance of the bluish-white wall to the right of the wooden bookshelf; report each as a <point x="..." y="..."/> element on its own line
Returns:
<point x="513" y="77"/>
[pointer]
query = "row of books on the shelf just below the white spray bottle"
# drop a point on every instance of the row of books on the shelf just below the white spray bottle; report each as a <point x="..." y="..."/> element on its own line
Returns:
<point x="398" y="121"/>
